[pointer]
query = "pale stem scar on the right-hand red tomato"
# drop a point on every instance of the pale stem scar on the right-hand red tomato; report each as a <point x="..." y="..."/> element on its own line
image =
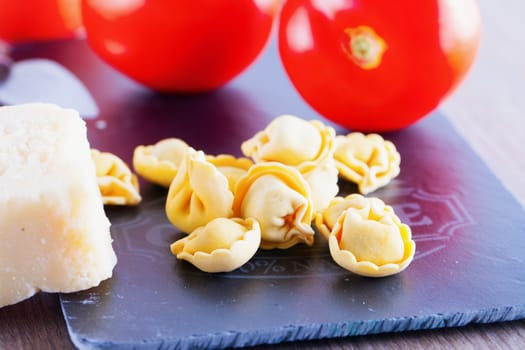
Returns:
<point x="364" y="47"/>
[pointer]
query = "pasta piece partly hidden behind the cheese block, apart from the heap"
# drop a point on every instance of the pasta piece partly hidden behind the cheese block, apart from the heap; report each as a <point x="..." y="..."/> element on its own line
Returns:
<point x="117" y="184"/>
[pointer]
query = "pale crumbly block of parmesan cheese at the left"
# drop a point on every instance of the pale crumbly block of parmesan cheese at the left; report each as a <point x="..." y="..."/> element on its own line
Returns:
<point x="54" y="234"/>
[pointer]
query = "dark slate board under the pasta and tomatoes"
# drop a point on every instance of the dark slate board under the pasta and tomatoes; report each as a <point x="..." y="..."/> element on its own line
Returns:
<point x="470" y="232"/>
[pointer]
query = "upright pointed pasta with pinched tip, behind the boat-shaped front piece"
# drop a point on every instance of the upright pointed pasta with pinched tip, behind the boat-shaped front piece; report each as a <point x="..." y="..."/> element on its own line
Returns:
<point x="198" y="194"/>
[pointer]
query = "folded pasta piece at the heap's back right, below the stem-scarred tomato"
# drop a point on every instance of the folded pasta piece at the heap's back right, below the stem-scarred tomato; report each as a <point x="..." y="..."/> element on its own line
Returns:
<point x="367" y="160"/>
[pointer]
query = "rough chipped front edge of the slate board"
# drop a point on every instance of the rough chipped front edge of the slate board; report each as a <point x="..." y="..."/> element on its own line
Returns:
<point x="238" y="339"/>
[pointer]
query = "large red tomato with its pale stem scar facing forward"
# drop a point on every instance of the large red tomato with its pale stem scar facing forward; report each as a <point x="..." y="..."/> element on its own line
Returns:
<point x="377" y="65"/>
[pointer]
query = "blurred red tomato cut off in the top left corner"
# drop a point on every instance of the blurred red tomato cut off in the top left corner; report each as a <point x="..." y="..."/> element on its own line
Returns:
<point x="31" y="20"/>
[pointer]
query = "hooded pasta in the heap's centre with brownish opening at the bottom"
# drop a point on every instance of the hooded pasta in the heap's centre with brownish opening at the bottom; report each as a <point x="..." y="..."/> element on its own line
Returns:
<point x="278" y="197"/>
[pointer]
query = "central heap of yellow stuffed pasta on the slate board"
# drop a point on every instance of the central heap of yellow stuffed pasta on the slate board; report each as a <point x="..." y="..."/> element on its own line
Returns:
<point x="272" y="198"/>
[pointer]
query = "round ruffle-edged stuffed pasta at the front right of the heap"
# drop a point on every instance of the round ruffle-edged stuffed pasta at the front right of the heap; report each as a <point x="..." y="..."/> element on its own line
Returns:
<point x="372" y="242"/>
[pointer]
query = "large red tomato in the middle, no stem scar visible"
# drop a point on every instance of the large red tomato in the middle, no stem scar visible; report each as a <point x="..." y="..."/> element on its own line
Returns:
<point x="179" y="45"/>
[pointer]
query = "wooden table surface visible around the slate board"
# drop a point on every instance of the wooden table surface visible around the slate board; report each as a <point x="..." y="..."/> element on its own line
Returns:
<point x="488" y="110"/>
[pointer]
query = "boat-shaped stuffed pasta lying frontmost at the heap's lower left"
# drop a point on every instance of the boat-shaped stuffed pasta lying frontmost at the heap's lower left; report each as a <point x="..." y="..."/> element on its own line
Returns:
<point x="222" y="245"/>
